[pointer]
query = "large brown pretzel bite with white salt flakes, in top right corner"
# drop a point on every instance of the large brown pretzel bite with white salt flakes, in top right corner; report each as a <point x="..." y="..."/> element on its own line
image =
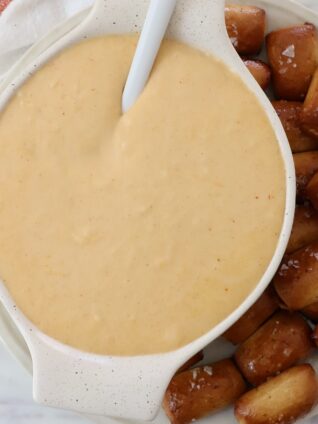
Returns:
<point x="293" y="57"/>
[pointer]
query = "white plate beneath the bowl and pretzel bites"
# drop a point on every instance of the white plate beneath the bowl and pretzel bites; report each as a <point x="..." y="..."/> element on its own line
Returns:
<point x="280" y="14"/>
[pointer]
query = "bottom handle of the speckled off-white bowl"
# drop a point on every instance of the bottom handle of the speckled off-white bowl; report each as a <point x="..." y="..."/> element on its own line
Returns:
<point x="125" y="387"/>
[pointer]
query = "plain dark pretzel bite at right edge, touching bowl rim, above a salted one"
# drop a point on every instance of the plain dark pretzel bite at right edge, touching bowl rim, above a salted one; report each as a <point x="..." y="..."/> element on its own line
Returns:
<point x="305" y="228"/>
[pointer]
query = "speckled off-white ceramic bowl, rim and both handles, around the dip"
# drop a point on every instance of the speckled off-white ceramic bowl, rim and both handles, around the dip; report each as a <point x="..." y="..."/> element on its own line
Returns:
<point x="132" y="387"/>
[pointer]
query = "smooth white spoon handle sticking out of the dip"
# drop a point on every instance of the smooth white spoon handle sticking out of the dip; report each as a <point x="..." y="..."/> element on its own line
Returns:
<point x="154" y="29"/>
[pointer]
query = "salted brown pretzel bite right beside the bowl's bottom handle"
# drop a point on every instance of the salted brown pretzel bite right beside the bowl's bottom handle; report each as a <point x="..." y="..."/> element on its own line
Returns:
<point x="193" y="394"/>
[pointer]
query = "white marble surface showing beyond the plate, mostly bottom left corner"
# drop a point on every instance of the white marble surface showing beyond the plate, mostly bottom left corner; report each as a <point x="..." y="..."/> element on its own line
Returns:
<point x="16" y="404"/>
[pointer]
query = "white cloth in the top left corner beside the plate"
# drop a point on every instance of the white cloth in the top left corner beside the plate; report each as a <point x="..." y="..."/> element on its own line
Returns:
<point x="26" y="21"/>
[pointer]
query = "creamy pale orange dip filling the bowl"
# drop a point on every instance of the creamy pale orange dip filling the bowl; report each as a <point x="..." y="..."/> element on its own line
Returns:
<point x="137" y="233"/>
